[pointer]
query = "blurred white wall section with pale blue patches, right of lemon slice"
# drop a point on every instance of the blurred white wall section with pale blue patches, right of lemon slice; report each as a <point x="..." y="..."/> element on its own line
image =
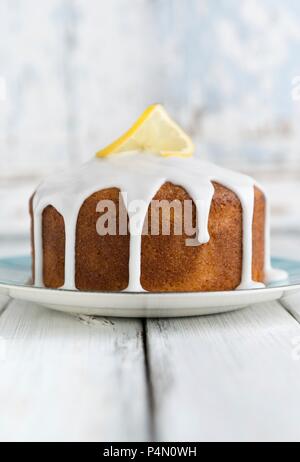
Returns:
<point x="231" y="64"/>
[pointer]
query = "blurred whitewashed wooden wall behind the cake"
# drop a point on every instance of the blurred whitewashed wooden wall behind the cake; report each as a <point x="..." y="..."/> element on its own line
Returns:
<point x="76" y="73"/>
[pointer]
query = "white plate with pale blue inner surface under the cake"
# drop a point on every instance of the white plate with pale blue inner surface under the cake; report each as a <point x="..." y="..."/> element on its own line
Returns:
<point x="14" y="272"/>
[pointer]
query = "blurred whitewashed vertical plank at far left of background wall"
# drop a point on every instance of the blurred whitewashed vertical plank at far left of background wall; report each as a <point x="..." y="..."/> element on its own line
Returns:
<point x="33" y="116"/>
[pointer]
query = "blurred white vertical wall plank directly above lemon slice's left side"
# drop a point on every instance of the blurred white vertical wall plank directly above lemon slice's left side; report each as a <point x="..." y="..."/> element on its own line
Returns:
<point x="112" y="75"/>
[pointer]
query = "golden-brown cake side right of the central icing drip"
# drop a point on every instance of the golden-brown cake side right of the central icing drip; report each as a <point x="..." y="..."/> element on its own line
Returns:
<point x="169" y="265"/>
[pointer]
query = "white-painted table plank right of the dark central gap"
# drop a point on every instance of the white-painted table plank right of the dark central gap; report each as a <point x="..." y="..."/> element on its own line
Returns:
<point x="230" y="377"/>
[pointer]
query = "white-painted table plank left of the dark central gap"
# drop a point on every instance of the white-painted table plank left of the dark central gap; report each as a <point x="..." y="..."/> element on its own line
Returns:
<point x="70" y="378"/>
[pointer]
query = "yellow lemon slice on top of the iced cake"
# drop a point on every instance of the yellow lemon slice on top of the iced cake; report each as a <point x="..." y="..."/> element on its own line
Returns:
<point x="156" y="132"/>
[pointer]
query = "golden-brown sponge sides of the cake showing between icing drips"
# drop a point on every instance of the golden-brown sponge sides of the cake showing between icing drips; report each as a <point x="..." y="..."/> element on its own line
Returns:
<point x="167" y="263"/>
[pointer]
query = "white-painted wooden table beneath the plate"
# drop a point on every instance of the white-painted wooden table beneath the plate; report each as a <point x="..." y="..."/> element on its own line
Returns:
<point x="227" y="377"/>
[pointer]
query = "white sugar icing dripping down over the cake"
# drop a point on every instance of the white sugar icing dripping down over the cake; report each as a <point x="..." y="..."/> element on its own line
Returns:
<point x="139" y="175"/>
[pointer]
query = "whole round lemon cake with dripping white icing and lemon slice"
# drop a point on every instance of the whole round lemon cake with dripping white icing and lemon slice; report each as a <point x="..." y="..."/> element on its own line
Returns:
<point x="227" y="248"/>
